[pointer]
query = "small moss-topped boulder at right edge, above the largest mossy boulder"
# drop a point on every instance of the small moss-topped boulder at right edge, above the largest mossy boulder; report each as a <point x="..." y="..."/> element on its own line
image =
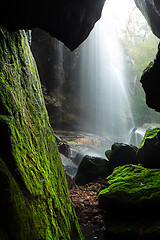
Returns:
<point x="149" y="150"/>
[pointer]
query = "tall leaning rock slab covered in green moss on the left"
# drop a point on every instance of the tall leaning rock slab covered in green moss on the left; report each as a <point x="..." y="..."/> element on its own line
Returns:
<point x="34" y="198"/>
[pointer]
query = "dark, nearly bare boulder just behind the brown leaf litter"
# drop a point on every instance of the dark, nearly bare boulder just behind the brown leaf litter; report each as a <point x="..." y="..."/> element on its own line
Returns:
<point x="90" y="169"/>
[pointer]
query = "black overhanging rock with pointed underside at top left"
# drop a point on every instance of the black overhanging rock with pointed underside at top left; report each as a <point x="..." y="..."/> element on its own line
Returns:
<point x="68" y="20"/>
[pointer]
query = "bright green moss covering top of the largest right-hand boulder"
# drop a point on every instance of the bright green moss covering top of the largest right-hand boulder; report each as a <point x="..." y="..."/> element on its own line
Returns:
<point x="133" y="184"/>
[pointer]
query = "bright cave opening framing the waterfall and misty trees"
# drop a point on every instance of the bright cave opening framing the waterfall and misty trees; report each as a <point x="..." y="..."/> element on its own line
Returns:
<point x="96" y="90"/>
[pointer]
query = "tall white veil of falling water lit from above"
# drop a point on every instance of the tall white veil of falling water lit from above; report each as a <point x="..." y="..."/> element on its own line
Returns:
<point x="104" y="97"/>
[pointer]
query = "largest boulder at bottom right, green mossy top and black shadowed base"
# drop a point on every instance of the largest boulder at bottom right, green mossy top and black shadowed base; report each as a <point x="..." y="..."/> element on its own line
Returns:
<point x="131" y="203"/>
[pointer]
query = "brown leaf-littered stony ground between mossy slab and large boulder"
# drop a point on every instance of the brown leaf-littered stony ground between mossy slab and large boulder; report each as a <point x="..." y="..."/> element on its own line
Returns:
<point x="84" y="199"/>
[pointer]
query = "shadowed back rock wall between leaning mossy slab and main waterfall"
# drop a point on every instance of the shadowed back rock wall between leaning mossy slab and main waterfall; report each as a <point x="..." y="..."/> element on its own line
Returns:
<point x="59" y="74"/>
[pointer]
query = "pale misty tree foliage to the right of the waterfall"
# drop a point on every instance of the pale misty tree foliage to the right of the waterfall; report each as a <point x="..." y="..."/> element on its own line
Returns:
<point x="140" y="46"/>
